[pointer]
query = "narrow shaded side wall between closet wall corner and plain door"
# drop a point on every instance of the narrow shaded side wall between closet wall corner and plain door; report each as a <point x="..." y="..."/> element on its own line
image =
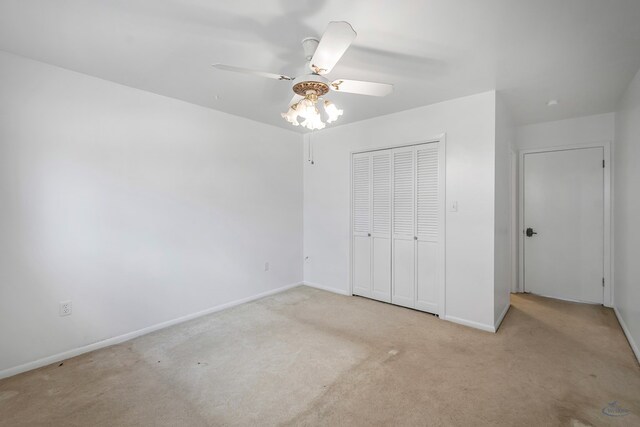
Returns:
<point x="505" y="138"/>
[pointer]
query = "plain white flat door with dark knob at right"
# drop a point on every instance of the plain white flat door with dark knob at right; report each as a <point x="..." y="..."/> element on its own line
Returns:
<point x="564" y="224"/>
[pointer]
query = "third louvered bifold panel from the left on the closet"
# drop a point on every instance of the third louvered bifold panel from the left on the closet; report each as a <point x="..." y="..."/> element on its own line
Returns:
<point x="403" y="227"/>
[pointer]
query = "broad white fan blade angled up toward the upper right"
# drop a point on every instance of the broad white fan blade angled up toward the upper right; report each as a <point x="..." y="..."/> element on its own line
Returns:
<point x="335" y="41"/>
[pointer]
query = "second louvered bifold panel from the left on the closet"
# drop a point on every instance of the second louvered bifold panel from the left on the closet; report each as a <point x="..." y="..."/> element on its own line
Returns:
<point x="381" y="225"/>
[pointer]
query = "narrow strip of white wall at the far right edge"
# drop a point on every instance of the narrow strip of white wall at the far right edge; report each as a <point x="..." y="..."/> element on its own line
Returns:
<point x="627" y="213"/>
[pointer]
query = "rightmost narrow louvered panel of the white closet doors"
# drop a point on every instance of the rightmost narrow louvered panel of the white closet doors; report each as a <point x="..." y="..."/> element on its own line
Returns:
<point x="427" y="220"/>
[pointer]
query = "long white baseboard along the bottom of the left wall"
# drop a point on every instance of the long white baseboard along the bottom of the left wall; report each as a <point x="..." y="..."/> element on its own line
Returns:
<point x="131" y="335"/>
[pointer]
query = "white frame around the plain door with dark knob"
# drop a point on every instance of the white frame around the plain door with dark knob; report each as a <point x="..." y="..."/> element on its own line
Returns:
<point x="607" y="299"/>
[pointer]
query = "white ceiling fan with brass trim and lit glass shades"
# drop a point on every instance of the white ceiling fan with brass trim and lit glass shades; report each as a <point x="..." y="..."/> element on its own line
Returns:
<point x="322" y="55"/>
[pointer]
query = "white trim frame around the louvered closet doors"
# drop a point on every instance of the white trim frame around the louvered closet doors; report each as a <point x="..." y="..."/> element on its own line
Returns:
<point x="442" y="174"/>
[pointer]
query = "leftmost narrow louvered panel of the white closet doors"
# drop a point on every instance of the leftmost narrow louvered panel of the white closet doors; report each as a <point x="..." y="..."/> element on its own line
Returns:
<point x="361" y="209"/>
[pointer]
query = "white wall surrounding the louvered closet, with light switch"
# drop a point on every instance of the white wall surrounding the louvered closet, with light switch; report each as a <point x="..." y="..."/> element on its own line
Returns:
<point x="469" y="124"/>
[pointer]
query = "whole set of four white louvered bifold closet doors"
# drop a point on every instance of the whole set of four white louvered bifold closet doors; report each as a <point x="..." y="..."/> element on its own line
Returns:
<point x="397" y="227"/>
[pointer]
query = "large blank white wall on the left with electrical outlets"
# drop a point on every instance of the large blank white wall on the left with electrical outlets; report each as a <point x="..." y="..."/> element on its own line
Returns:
<point x="138" y="208"/>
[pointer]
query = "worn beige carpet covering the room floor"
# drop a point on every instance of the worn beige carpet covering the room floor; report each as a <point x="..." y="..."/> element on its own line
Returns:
<point x="308" y="357"/>
